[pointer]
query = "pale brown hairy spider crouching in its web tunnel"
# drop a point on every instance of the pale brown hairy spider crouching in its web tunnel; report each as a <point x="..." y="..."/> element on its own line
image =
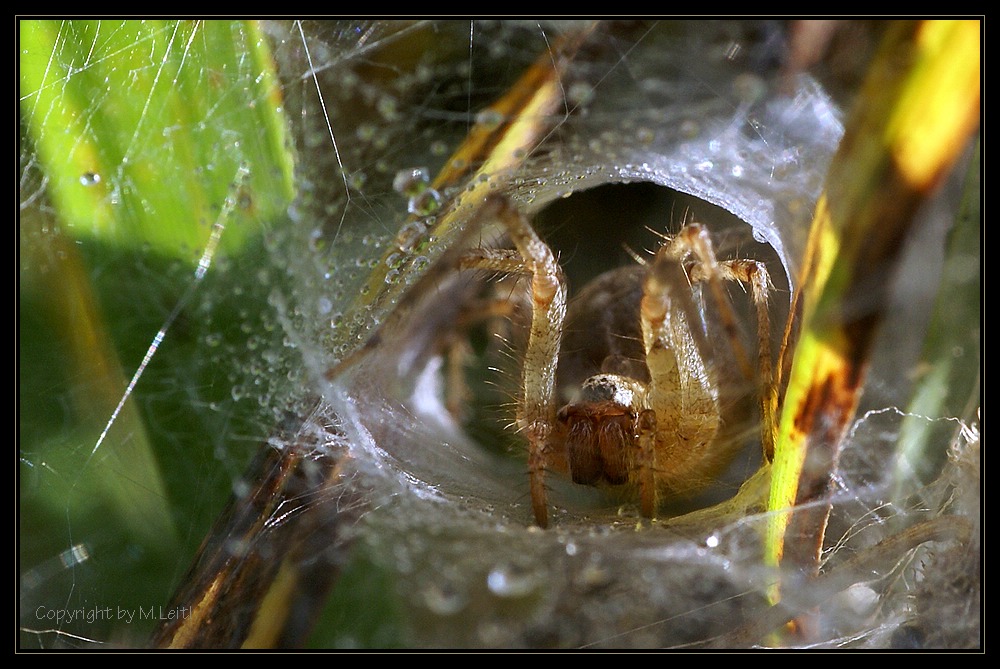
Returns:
<point x="647" y="385"/>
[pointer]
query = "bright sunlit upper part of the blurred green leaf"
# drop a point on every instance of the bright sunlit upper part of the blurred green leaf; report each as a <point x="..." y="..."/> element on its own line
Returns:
<point x="141" y="125"/>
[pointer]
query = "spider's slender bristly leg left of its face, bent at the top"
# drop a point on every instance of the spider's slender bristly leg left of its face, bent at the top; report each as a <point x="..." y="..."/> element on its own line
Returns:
<point x="536" y="413"/>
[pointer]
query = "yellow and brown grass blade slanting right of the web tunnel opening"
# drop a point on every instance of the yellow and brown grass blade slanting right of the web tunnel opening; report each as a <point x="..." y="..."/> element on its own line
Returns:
<point x="915" y="116"/>
